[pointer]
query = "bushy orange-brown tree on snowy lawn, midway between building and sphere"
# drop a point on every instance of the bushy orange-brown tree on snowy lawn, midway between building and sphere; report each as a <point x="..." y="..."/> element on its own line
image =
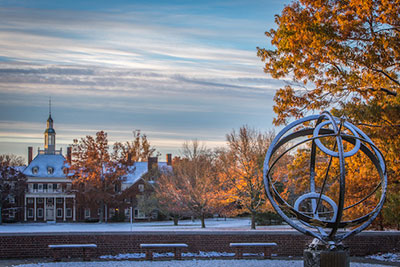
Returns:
<point x="192" y="186"/>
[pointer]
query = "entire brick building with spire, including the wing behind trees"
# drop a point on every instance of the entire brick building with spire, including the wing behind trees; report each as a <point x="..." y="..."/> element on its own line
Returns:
<point x="50" y="196"/>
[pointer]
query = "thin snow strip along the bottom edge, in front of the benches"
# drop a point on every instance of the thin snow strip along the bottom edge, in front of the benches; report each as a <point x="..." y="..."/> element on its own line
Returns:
<point x="187" y="263"/>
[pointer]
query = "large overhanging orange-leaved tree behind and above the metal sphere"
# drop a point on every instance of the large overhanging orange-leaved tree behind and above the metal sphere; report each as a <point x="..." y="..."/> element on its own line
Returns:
<point x="344" y="56"/>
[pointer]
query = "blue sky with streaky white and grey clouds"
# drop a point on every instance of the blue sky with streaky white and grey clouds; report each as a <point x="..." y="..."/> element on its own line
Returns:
<point x="176" y="70"/>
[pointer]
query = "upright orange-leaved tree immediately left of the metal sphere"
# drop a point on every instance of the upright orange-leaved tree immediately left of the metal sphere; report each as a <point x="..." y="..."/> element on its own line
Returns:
<point x="241" y="170"/>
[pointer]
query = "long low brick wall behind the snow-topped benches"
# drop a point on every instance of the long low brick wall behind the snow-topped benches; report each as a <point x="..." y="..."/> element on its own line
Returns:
<point x="290" y="243"/>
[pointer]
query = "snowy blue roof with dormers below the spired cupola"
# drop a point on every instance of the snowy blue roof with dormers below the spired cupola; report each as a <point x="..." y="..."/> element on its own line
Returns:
<point x="41" y="166"/>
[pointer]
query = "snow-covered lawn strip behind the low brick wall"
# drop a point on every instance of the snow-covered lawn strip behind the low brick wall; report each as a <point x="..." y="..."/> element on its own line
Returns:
<point x="211" y="224"/>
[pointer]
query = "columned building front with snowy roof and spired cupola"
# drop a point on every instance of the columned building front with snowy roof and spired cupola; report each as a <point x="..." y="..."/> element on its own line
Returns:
<point x="49" y="196"/>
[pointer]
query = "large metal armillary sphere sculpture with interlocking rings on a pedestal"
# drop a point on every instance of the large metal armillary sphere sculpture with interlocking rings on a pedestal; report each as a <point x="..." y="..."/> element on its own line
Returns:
<point x="322" y="211"/>
